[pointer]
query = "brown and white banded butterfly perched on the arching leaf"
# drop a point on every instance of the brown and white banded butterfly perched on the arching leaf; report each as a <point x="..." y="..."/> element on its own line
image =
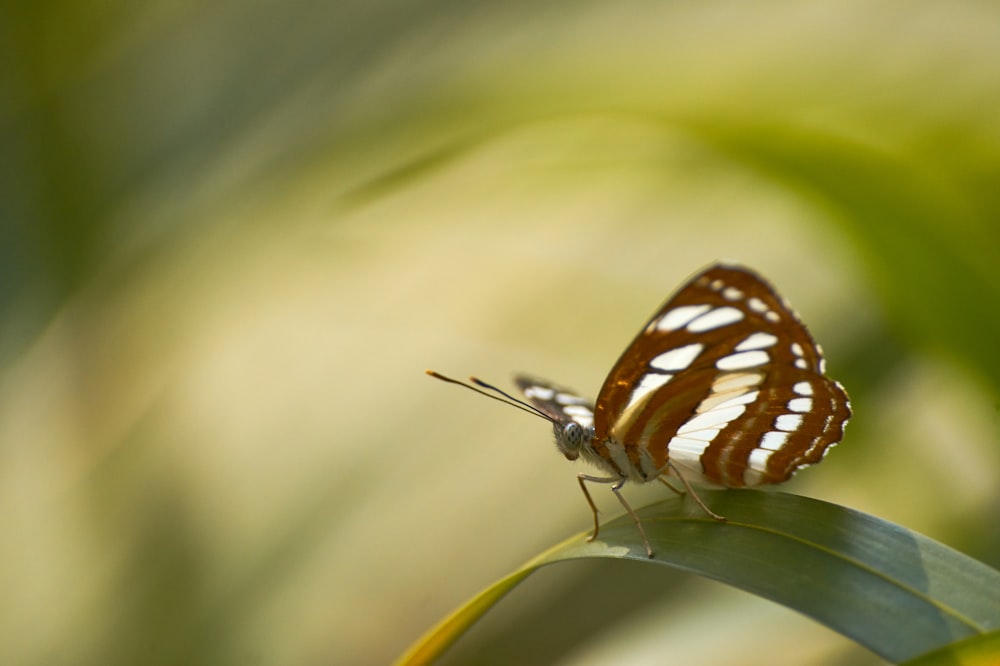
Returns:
<point x="723" y="387"/>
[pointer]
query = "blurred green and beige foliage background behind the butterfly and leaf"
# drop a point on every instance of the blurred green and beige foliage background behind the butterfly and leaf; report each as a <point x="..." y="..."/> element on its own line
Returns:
<point x="234" y="235"/>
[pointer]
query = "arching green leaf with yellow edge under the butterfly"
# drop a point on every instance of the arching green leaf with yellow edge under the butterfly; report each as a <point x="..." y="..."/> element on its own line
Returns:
<point x="895" y="592"/>
